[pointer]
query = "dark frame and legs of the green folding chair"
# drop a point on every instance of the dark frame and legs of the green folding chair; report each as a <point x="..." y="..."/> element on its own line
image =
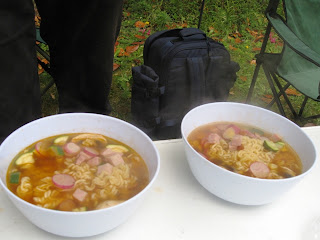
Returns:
<point x="271" y="76"/>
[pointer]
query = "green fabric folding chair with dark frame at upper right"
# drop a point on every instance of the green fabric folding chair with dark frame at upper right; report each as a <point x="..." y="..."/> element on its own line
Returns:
<point x="299" y="62"/>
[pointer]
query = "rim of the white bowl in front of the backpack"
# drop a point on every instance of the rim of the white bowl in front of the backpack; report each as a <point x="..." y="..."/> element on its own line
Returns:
<point x="249" y="106"/>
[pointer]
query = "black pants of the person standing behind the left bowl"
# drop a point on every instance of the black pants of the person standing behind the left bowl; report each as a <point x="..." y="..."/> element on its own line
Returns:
<point x="80" y="35"/>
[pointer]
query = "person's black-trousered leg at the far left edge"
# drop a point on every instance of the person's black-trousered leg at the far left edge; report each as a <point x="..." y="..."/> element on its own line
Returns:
<point x="19" y="90"/>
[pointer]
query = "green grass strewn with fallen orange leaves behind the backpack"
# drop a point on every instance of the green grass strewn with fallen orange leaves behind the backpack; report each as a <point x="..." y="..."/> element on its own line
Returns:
<point x="239" y="25"/>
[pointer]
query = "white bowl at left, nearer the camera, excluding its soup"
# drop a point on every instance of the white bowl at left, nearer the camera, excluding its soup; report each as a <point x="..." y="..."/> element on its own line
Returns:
<point x="79" y="224"/>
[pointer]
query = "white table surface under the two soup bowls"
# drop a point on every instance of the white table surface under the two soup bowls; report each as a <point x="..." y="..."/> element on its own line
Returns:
<point x="177" y="207"/>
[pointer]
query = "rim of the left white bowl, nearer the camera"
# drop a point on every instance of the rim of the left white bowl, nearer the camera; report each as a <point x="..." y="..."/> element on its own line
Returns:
<point x="128" y="201"/>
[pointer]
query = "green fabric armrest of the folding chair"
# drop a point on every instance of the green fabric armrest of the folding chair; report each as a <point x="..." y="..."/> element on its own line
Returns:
<point x="292" y="40"/>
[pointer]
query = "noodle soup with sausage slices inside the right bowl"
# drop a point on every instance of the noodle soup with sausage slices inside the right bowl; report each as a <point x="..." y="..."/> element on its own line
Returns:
<point x="246" y="150"/>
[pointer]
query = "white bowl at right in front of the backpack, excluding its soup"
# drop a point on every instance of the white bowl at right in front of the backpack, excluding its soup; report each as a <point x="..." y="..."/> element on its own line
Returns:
<point x="234" y="187"/>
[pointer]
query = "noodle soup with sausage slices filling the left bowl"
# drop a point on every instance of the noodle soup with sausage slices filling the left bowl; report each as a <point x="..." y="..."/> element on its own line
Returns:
<point x="77" y="172"/>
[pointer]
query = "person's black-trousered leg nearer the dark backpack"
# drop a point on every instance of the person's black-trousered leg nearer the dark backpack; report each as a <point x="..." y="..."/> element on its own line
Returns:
<point x="81" y="37"/>
